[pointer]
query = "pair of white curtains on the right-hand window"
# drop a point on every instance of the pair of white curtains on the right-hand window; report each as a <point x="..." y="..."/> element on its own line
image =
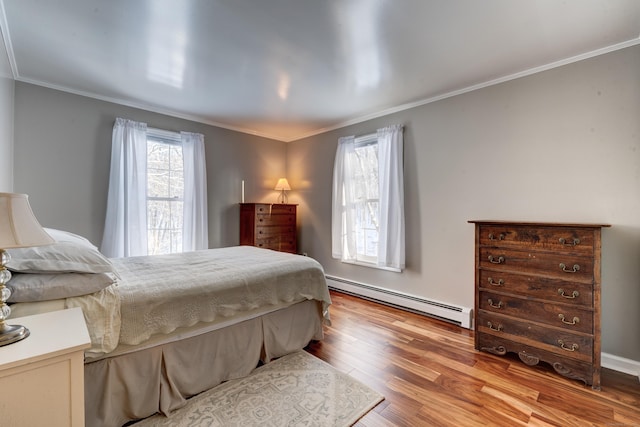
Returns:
<point x="391" y="232"/>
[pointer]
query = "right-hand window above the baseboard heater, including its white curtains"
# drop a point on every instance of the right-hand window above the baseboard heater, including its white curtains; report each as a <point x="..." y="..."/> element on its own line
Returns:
<point x="368" y="200"/>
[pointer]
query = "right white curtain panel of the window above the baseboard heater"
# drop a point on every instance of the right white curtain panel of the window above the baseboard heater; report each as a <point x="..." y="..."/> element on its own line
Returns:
<point x="391" y="251"/>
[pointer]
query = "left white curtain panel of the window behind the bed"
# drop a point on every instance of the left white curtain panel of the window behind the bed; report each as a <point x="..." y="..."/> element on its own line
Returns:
<point x="125" y="230"/>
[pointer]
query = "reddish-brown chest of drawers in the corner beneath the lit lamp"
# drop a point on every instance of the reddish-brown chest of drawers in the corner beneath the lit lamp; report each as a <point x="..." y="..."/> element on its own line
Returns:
<point x="268" y="226"/>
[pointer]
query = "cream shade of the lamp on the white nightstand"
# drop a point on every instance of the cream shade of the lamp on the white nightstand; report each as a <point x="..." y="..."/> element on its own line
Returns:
<point x="18" y="225"/>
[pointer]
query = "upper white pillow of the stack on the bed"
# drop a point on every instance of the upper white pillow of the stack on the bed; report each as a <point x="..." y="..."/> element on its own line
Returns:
<point x="59" y="257"/>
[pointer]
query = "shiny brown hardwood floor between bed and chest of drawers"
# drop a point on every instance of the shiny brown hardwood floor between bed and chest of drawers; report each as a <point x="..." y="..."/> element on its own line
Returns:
<point x="431" y="375"/>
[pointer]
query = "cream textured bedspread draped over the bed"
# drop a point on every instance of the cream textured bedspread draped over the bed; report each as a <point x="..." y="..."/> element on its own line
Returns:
<point x="157" y="295"/>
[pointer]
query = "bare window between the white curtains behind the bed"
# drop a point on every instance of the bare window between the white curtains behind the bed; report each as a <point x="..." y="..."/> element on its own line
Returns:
<point x="165" y="192"/>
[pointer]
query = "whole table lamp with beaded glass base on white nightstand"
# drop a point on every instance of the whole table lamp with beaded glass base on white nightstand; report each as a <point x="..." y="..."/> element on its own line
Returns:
<point x="19" y="228"/>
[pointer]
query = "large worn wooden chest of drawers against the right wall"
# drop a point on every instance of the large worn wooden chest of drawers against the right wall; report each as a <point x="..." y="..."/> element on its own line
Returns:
<point x="537" y="294"/>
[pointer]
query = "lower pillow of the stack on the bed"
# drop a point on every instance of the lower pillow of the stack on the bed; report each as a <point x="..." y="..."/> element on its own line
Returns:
<point x="27" y="287"/>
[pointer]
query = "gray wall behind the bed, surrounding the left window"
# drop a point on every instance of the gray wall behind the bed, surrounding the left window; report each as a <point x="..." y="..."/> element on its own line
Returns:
<point x="62" y="158"/>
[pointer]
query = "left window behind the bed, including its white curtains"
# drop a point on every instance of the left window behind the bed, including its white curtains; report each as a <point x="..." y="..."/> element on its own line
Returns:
<point x="157" y="201"/>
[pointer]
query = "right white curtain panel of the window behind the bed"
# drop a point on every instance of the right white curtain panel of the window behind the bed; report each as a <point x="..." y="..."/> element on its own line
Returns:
<point x="195" y="234"/>
